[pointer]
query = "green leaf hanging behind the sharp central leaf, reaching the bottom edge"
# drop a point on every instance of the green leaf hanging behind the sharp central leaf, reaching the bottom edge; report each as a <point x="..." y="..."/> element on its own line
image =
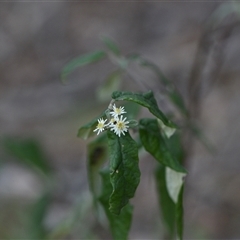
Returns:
<point x="119" y="224"/>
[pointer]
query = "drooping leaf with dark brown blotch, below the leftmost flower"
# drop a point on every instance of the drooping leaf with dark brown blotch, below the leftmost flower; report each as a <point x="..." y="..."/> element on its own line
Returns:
<point x="97" y="154"/>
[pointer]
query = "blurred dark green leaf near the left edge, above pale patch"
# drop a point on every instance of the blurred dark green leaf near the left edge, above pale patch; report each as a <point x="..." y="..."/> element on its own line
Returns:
<point x="29" y="152"/>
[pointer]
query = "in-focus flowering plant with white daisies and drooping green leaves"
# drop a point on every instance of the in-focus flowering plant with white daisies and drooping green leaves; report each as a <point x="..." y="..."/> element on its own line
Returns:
<point x="113" y="154"/>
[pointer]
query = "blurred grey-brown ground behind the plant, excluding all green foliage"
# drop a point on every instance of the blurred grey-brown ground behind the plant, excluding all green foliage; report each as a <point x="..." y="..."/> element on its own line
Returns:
<point x="38" y="38"/>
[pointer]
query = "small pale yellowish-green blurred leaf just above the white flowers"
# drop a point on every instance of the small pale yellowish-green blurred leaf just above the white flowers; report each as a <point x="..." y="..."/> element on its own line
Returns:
<point x="111" y="84"/>
